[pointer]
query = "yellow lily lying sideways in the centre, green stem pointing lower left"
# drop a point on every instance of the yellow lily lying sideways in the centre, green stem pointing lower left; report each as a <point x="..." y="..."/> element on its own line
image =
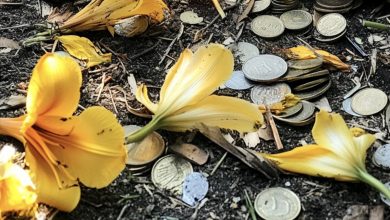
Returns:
<point x="185" y="99"/>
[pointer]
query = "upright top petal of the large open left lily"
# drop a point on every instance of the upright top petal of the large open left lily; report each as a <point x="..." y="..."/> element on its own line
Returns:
<point x="54" y="87"/>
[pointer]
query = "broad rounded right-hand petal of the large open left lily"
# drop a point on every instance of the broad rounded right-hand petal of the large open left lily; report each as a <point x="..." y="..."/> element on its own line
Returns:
<point x="93" y="152"/>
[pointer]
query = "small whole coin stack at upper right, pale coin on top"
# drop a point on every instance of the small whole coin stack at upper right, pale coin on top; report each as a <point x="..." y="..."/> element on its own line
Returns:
<point x="331" y="27"/>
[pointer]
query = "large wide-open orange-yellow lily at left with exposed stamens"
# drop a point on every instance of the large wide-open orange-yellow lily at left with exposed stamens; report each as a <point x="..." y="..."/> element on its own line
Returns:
<point x="63" y="150"/>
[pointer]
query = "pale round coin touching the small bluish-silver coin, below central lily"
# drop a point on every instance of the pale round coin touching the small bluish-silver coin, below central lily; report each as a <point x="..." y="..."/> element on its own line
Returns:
<point x="169" y="173"/>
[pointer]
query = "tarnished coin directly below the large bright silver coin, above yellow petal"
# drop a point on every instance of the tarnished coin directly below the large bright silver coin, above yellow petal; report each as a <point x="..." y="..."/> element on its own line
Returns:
<point x="269" y="94"/>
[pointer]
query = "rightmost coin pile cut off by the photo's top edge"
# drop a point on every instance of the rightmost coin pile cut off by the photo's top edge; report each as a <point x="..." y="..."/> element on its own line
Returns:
<point x="336" y="6"/>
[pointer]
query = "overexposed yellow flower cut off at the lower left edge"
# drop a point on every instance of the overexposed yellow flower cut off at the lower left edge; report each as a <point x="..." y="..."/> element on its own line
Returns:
<point x="17" y="191"/>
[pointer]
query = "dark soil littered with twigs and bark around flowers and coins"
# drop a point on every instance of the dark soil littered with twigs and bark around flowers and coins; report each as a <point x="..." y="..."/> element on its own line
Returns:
<point x="321" y="198"/>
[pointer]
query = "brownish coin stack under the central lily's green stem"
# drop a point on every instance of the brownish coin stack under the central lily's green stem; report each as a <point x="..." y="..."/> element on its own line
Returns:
<point x="142" y="154"/>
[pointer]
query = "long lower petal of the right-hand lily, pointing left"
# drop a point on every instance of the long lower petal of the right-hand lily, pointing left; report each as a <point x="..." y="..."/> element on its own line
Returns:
<point x="314" y="160"/>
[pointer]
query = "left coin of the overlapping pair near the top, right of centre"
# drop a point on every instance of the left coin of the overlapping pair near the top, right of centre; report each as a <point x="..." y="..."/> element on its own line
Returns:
<point x="267" y="26"/>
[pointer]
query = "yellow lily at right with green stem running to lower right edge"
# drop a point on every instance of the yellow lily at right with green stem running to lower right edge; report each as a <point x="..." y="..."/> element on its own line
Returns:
<point x="340" y="153"/>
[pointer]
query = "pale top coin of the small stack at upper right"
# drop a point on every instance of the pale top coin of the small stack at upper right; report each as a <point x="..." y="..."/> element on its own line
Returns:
<point x="331" y="25"/>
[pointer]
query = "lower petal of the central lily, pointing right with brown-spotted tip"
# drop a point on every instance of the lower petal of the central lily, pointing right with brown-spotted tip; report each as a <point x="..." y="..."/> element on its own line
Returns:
<point x="220" y="111"/>
